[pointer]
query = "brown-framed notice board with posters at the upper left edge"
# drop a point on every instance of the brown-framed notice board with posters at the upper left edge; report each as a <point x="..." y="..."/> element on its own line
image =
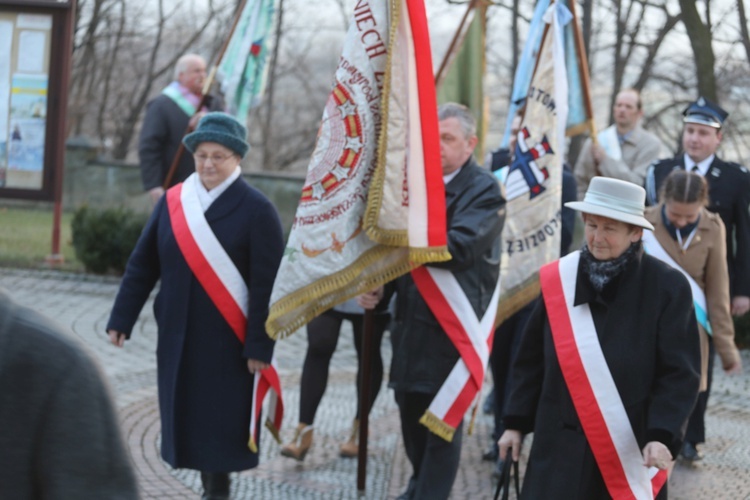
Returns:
<point x="35" y="53"/>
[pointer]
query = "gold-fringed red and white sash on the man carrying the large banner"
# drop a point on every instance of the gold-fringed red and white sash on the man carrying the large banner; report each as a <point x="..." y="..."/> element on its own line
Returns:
<point x="472" y="337"/>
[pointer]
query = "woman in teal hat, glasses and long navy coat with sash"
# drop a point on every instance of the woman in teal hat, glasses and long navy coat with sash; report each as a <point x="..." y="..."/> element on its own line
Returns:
<point x="215" y="243"/>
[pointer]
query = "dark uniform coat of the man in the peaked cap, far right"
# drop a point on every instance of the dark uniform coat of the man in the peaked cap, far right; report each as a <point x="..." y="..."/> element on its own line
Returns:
<point x="729" y="196"/>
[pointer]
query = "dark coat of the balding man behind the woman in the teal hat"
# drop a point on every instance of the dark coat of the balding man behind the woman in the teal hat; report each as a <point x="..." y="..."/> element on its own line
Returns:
<point x="162" y="131"/>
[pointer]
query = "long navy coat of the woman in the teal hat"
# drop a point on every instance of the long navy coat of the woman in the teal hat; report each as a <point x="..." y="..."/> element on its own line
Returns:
<point x="205" y="389"/>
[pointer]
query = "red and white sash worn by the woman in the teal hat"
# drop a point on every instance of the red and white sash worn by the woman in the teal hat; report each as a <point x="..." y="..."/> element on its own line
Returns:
<point x="224" y="285"/>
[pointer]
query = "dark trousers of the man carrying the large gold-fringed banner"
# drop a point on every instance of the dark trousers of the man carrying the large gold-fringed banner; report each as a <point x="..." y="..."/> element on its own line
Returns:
<point x="434" y="460"/>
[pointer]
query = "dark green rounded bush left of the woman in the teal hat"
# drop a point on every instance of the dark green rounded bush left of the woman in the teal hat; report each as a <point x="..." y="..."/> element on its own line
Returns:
<point x="104" y="239"/>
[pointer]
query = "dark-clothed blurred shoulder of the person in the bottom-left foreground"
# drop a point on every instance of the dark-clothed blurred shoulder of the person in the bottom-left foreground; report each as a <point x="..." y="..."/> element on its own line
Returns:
<point x="59" y="433"/>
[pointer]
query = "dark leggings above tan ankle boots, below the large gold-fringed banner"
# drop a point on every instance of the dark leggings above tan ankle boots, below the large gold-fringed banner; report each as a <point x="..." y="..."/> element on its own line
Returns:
<point x="322" y="337"/>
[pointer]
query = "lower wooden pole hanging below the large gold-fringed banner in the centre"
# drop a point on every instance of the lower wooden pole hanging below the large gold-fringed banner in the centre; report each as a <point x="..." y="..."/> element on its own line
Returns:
<point x="365" y="370"/>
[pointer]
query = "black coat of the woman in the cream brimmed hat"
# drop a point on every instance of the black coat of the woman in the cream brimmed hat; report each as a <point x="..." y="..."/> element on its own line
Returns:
<point x="647" y="329"/>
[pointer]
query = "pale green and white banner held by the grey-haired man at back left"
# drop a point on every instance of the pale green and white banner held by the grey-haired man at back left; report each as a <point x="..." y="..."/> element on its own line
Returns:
<point x="242" y="68"/>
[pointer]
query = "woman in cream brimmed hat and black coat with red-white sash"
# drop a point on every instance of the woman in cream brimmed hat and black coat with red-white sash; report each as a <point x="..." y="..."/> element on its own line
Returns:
<point x="609" y="365"/>
